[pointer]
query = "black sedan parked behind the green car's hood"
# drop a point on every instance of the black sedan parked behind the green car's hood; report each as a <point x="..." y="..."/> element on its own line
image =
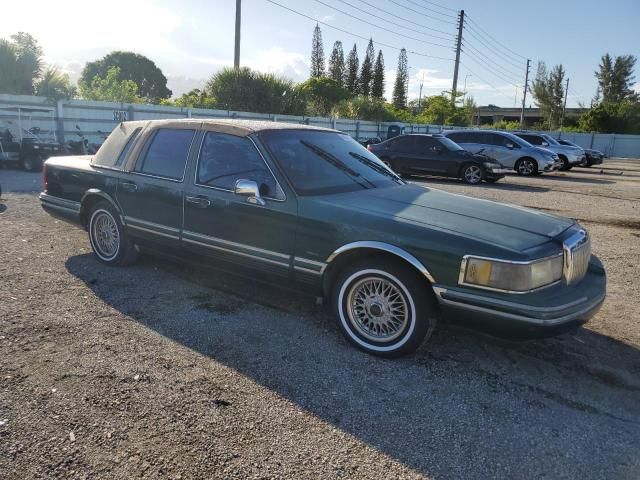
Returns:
<point x="421" y="154"/>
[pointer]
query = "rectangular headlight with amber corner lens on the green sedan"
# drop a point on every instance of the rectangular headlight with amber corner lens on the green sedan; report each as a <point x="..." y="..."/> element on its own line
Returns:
<point x="509" y="276"/>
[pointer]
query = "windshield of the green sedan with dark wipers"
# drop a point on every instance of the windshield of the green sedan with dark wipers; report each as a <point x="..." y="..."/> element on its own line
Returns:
<point x="317" y="162"/>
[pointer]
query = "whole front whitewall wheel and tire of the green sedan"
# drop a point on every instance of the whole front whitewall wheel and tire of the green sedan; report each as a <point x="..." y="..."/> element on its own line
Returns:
<point x="383" y="307"/>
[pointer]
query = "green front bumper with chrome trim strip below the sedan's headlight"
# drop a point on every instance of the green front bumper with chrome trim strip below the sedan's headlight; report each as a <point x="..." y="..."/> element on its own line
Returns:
<point x="546" y="312"/>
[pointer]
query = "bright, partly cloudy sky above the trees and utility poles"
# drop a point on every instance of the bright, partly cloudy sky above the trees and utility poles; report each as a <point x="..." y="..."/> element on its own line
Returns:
<point x="192" y="39"/>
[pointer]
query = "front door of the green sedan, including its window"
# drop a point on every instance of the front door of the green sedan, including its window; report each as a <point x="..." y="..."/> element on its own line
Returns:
<point x="231" y="228"/>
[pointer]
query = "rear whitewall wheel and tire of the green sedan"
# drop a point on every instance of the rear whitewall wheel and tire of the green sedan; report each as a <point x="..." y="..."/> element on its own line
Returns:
<point x="107" y="236"/>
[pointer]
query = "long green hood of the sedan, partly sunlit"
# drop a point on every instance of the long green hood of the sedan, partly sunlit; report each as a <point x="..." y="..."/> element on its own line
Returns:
<point x="508" y="226"/>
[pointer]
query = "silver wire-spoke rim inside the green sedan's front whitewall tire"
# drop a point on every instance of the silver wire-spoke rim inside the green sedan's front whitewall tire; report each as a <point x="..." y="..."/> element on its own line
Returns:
<point x="377" y="309"/>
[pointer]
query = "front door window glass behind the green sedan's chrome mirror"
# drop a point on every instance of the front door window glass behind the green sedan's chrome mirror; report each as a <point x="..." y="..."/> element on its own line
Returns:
<point x="225" y="159"/>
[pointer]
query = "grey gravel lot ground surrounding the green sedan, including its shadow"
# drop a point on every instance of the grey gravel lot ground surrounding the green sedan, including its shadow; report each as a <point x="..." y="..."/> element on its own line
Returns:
<point x="155" y="371"/>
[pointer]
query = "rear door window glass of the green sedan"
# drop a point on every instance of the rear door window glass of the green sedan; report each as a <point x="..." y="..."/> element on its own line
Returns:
<point x="167" y="153"/>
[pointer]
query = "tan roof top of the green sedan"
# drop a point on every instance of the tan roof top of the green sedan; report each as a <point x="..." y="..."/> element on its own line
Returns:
<point x="232" y="126"/>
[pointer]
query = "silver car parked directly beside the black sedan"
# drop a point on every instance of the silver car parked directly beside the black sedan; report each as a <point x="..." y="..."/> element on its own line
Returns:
<point x="510" y="150"/>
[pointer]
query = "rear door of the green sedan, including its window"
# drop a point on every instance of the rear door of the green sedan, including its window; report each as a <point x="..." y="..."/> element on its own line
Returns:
<point x="151" y="195"/>
